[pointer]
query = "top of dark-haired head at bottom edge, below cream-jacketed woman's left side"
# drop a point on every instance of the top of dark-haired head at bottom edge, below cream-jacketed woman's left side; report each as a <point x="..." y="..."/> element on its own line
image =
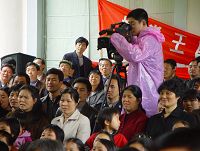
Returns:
<point x="45" y="145"/>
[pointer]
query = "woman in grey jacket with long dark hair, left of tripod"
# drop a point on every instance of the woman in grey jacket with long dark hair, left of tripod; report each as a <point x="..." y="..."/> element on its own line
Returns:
<point x="97" y="93"/>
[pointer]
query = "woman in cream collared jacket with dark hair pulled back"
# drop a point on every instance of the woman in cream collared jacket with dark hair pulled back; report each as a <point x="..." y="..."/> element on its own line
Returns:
<point x="71" y="120"/>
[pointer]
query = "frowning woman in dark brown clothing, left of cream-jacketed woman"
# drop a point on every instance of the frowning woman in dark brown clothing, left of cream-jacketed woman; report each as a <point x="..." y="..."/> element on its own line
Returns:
<point x="30" y="112"/>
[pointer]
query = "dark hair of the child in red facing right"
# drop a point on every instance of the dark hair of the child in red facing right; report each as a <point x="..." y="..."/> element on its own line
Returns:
<point x="106" y="114"/>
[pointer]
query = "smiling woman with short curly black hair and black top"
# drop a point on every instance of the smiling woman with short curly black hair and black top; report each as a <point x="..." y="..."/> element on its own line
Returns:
<point x="170" y="91"/>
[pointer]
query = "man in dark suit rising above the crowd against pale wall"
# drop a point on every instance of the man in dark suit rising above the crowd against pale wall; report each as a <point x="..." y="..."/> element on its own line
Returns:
<point x="82" y="64"/>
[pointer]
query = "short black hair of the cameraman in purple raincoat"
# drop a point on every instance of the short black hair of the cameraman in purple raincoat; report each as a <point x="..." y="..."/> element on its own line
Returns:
<point x="139" y="14"/>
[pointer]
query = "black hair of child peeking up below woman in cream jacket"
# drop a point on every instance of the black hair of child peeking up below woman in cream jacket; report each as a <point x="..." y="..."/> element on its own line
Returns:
<point x="57" y="130"/>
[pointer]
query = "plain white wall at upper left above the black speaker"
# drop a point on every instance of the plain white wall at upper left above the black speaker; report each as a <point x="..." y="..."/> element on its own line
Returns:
<point x="11" y="26"/>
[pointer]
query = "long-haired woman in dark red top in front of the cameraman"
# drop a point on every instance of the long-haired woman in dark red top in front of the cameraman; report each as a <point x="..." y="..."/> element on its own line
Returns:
<point x="134" y="119"/>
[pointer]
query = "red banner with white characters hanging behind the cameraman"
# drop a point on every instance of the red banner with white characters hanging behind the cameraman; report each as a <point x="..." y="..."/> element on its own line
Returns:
<point x="179" y="45"/>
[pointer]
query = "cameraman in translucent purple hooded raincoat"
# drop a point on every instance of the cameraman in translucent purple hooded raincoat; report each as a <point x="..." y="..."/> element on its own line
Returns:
<point x="145" y="57"/>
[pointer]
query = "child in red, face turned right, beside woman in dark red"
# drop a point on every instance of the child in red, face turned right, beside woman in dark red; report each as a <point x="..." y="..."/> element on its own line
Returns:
<point x="108" y="119"/>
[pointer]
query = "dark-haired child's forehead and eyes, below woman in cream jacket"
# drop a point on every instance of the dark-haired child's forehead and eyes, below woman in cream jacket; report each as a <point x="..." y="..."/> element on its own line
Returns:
<point x="53" y="132"/>
